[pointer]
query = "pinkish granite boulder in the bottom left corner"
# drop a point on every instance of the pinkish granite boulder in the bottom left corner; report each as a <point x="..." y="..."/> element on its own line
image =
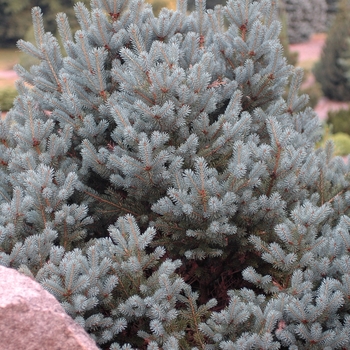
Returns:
<point x="32" y="319"/>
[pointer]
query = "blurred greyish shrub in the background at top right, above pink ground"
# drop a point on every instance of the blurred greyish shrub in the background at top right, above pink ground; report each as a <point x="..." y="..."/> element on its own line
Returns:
<point x="305" y="18"/>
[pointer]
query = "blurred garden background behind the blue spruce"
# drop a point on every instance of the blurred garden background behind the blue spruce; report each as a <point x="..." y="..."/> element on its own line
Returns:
<point x="315" y="36"/>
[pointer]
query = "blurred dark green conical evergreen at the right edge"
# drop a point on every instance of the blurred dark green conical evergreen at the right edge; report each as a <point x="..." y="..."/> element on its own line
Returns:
<point x="330" y="71"/>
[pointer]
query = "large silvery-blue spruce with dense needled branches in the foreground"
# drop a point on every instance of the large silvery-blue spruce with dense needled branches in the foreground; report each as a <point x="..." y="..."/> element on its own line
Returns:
<point x="157" y="183"/>
